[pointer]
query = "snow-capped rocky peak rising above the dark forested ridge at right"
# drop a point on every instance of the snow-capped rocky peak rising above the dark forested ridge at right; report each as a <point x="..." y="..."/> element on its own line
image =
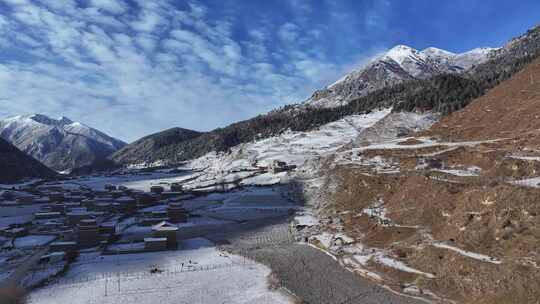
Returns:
<point x="400" y="63"/>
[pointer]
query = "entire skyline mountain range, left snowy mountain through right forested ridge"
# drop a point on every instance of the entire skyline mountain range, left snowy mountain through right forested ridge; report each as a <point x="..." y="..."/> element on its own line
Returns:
<point x="404" y="79"/>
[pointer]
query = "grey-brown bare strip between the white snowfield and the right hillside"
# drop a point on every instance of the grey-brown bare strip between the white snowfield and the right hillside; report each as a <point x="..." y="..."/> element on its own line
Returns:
<point x="307" y="272"/>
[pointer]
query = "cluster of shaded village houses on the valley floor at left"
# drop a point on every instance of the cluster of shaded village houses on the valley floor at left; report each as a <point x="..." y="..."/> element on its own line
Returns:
<point x="82" y="218"/>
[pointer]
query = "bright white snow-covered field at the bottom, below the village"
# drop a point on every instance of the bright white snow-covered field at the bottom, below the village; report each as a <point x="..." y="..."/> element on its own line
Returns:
<point x="198" y="274"/>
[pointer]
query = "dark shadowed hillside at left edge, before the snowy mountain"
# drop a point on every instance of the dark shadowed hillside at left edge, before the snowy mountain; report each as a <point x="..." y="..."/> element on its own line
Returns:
<point x="15" y="165"/>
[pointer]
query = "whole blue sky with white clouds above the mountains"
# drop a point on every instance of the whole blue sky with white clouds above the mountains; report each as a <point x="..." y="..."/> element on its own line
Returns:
<point x="134" y="67"/>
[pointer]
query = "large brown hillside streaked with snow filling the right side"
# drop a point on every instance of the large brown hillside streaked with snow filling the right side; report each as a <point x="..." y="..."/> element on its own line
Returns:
<point x="449" y="214"/>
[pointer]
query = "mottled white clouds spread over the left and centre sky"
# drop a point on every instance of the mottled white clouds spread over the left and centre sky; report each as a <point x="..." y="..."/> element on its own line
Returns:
<point x="133" y="71"/>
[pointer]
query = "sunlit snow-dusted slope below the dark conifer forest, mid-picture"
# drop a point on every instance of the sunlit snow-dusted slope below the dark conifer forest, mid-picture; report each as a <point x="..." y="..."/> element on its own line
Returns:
<point x="312" y="152"/>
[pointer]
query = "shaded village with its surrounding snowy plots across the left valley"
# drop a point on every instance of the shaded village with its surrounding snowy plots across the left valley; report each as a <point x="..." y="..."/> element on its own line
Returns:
<point x="46" y="227"/>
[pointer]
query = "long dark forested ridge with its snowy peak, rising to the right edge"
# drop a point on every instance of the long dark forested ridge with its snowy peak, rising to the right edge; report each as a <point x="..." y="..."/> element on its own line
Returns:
<point x="403" y="78"/>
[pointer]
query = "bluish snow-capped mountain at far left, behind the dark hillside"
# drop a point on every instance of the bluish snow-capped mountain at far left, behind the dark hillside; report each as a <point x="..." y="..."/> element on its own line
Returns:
<point x="61" y="143"/>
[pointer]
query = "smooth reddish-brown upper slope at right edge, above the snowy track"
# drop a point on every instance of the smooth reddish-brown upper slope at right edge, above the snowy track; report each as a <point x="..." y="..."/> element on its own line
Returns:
<point x="508" y="110"/>
